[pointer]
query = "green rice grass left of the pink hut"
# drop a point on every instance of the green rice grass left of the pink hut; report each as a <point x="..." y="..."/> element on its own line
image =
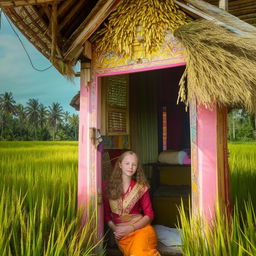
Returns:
<point x="38" y="201"/>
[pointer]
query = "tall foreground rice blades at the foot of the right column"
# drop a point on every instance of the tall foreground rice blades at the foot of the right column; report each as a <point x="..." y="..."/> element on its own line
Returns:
<point x="221" y="236"/>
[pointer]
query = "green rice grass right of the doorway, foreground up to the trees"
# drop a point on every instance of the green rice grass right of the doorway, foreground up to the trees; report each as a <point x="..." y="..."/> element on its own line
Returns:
<point x="235" y="236"/>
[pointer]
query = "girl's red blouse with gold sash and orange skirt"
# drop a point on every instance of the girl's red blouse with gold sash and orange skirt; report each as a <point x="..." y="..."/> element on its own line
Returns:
<point x="128" y="210"/>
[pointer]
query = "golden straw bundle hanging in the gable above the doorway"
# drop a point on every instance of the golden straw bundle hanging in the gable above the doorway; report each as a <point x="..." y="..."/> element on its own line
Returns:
<point x="146" y="22"/>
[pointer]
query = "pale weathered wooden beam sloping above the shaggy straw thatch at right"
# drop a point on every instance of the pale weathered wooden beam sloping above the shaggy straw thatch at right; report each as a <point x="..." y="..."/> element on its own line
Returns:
<point x="218" y="16"/>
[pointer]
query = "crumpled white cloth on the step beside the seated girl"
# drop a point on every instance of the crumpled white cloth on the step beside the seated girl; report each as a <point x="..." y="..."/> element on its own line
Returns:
<point x="168" y="236"/>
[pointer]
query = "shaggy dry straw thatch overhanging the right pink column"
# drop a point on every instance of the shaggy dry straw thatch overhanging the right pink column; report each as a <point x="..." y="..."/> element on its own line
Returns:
<point x="221" y="66"/>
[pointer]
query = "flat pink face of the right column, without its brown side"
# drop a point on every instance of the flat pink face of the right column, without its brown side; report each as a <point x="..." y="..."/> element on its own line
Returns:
<point x="207" y="160"/>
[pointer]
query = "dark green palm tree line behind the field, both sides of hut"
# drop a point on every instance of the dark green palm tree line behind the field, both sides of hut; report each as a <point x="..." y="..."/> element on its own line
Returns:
<point x="34" y="121"/>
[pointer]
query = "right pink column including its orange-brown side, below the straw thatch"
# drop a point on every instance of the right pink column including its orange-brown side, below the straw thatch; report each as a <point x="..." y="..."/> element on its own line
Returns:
<point x="207" y="172"/>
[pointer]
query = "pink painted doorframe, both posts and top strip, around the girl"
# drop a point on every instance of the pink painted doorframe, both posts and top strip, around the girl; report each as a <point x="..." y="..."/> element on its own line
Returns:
<point x="203" y="148"/>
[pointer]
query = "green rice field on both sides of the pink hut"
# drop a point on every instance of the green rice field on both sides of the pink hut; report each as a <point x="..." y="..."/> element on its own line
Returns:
<point x="38" y="213"/>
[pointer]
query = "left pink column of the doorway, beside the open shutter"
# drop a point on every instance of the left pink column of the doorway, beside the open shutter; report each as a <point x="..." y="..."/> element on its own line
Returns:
<point x="89" y="173"/>
